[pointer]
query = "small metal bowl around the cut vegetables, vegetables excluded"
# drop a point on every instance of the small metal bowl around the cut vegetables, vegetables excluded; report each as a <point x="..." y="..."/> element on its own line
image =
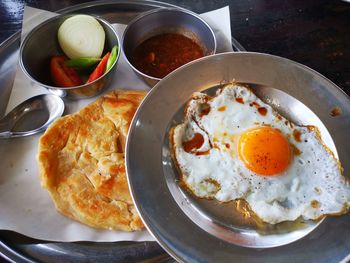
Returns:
<point x="41" y="44"/>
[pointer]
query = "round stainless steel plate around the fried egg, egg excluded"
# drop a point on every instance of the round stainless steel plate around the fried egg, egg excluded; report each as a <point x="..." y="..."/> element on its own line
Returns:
<point x="190" y="229"/>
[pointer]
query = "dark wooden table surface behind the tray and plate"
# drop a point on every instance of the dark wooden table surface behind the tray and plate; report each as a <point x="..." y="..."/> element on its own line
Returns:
<point x="313" y="32"/>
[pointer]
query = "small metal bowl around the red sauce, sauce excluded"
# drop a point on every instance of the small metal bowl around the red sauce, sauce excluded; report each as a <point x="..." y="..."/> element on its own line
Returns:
<point x="166" y="20"/>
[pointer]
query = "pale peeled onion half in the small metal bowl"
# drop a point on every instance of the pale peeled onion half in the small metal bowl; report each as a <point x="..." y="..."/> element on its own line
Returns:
<point x="81" y="36"/>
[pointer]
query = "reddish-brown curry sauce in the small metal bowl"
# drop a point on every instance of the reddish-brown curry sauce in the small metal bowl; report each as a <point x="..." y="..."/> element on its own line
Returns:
<point x="161" y="54"/>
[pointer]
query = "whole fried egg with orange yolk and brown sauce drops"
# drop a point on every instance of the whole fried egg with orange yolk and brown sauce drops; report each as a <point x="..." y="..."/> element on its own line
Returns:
<point x="233" y="146"/>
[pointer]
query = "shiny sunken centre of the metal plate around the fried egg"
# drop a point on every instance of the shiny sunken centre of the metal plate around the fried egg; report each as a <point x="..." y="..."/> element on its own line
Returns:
<point x="224" y="220"/>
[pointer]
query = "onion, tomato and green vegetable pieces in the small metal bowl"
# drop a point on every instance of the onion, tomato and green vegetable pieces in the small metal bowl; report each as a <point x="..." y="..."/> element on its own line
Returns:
<point x="82" y="39"/>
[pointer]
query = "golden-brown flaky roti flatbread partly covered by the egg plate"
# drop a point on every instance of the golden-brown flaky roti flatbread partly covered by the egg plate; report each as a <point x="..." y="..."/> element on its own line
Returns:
<point x="81" y="162"/>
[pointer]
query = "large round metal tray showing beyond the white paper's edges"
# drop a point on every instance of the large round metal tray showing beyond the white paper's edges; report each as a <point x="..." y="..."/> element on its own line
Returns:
<point x="18" y="248"/>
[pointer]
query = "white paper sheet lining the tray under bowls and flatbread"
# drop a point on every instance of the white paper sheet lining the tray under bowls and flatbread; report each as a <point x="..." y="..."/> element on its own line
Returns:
<point x="27" y="208"/>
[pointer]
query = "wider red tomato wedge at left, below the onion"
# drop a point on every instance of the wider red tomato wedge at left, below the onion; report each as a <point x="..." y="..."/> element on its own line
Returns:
<point x="63" y="76"/>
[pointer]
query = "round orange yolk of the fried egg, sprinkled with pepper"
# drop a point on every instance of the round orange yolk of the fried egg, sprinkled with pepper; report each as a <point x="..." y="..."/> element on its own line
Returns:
<point x="265" y="151"/>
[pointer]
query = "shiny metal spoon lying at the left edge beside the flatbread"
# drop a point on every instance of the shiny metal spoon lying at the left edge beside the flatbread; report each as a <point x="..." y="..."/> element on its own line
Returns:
<point x="31" y="116"/>
